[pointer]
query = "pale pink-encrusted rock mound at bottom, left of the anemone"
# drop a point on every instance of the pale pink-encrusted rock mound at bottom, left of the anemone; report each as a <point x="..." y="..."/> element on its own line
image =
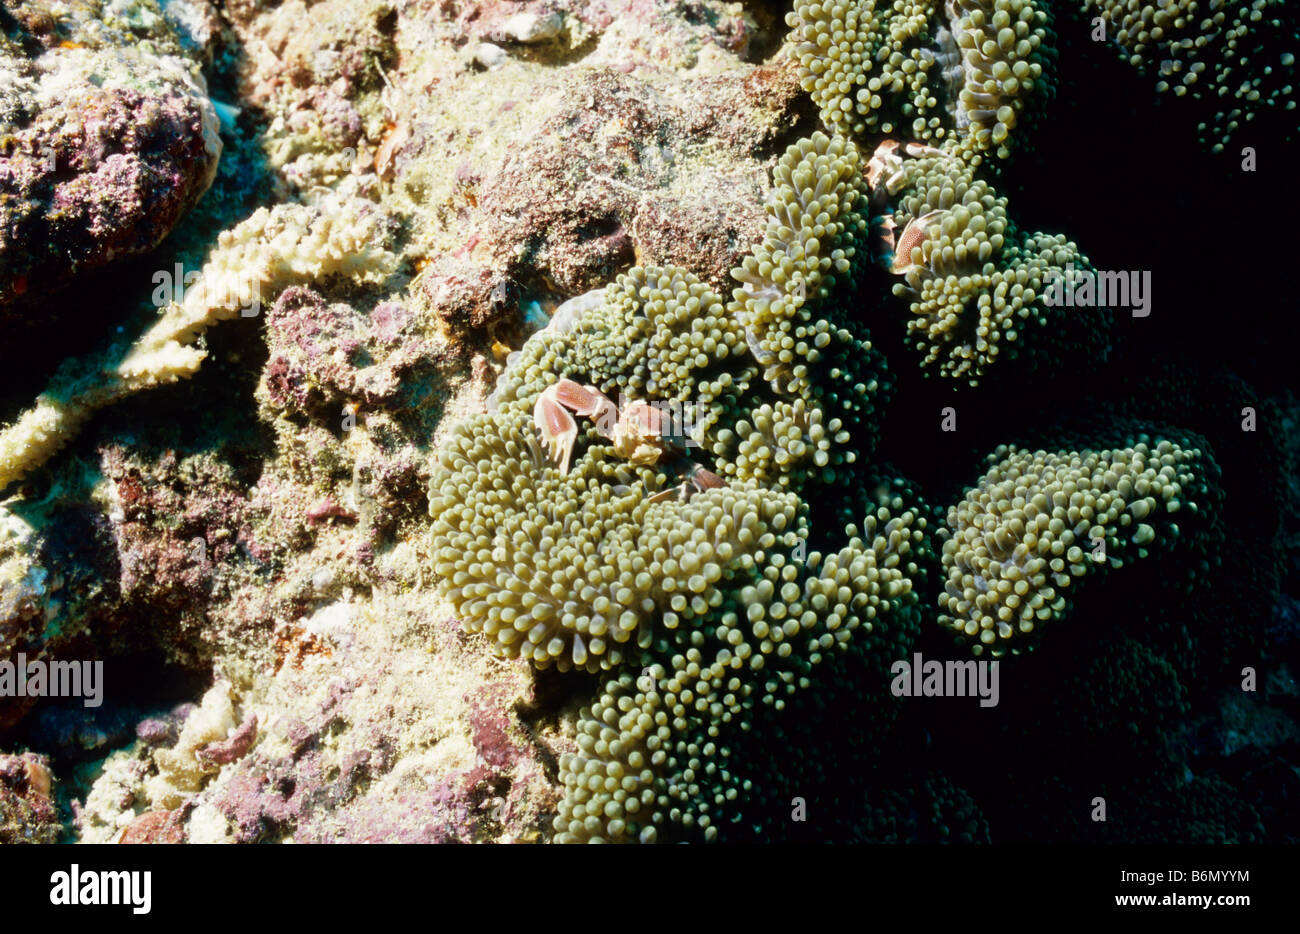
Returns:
<point x="427" y="747"/>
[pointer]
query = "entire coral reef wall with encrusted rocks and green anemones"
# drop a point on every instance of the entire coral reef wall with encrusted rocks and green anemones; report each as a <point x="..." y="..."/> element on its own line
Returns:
<point x="621" y="392"/>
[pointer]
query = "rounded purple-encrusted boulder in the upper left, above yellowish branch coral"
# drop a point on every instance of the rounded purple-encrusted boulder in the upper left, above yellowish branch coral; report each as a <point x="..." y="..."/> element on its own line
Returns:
<point x="105" y="150"/>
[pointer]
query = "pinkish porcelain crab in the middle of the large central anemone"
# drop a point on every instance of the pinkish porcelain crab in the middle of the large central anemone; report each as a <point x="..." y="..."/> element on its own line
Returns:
<point x="638" y="434"/>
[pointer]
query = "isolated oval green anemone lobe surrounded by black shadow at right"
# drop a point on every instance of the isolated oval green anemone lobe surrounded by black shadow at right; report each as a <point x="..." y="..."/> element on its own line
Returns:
<point x="1041" y="522"/>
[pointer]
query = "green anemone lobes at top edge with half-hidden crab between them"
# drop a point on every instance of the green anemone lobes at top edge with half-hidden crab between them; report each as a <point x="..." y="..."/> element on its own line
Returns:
<point x="963" y="80"/>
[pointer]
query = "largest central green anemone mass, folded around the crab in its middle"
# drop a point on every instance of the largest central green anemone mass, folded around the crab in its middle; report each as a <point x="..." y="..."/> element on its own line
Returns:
<point x="708" y="606"/>
